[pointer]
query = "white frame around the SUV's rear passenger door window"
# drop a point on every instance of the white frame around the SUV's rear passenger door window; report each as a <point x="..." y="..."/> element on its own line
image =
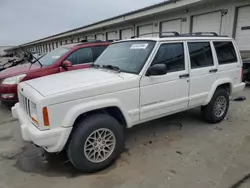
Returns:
<point x="211" y="49"/>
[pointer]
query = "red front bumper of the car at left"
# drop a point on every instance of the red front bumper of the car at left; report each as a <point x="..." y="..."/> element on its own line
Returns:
<point x="8" y="89"/>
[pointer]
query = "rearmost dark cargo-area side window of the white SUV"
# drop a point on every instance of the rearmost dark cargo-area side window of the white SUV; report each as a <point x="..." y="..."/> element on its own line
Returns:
<point x="225" y="52"/>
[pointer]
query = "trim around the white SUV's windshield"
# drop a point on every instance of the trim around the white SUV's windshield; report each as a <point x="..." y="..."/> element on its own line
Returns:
<point x="146" y="57"/>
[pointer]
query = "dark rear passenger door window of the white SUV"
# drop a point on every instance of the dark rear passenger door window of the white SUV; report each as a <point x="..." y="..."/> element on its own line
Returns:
<point x="200" y="54"/>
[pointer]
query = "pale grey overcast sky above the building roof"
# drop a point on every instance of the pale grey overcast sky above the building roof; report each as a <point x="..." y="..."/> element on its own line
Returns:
<point x="22" y="21"/>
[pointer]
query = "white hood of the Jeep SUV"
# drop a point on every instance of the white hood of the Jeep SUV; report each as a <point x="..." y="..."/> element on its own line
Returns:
<point x="72" y="80"/>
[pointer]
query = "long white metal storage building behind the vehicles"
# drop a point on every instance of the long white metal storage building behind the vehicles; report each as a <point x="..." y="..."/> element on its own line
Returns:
<point x="225" y="17"/>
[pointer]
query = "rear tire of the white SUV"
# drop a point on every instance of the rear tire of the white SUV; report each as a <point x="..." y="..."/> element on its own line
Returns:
<point x="209" y="113"/>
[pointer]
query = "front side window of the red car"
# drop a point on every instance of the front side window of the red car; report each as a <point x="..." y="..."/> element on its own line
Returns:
<point x="83" y="55"/>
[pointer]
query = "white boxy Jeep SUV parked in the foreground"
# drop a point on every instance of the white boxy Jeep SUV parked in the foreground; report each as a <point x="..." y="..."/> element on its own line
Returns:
<point x="85" y="112"/>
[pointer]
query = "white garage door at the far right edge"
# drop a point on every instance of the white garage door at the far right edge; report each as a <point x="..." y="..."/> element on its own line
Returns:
<point x="242" y="34"/>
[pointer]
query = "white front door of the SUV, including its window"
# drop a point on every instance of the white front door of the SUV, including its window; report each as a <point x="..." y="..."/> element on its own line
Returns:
<point x="166" y="94"/>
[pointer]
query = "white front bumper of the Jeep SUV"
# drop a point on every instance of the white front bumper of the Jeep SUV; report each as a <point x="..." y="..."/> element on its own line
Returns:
<point x="52" y="140"/>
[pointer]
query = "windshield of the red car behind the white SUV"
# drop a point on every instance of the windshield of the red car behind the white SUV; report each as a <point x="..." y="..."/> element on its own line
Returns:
<point x="53" y="56"/>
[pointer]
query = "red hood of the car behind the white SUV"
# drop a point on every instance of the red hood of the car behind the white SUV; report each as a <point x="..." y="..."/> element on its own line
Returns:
<point x="20" y="69"/>
